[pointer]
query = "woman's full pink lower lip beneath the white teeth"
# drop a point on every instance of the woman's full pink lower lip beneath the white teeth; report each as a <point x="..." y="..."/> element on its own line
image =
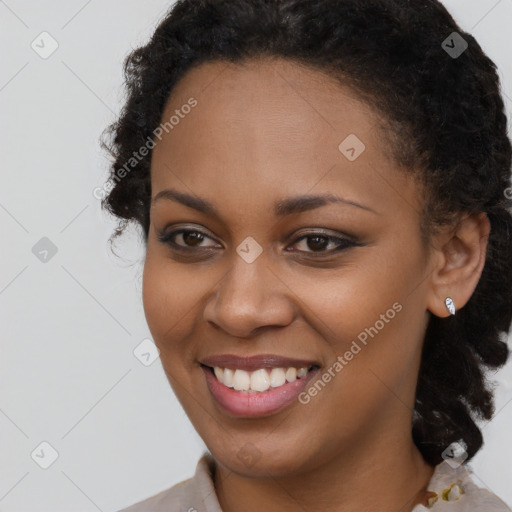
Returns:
<point x="250" y="405"/>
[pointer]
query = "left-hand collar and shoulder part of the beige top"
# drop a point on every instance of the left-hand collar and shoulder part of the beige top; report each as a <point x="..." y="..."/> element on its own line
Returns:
<point x="192" y="495"/>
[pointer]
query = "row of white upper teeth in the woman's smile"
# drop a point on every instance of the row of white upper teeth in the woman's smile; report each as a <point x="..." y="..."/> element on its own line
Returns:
<point x="259" y="380"/>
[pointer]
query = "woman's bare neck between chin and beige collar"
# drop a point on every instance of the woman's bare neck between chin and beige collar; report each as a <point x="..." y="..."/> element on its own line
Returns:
<point x="388" y="474"/>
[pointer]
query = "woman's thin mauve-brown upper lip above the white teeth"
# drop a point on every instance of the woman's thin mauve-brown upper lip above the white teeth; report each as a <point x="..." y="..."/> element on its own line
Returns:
<point x="257" y="362"/>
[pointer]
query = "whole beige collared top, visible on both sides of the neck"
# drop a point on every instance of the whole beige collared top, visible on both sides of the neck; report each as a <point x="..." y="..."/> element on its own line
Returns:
<point x="454" y="491"/>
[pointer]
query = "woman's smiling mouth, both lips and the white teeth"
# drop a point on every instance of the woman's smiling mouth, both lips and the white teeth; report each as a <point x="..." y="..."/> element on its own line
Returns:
<point x="258" y="388"/>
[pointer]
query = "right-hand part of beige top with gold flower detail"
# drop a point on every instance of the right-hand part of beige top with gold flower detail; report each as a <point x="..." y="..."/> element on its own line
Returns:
<point x="455" y="491"/>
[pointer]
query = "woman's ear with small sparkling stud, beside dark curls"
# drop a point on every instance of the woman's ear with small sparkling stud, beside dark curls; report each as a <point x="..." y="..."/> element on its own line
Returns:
<point x="459" y="258"/>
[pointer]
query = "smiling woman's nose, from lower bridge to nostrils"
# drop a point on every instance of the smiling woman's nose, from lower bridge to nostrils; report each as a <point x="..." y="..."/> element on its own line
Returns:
<point x="251" y="296"/>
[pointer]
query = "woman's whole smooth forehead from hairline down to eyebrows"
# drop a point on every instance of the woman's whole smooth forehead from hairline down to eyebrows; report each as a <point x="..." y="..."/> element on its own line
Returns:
<point x="269" y="126"/>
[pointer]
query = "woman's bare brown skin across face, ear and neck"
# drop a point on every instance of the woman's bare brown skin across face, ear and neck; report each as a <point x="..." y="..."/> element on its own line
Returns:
<point x="260" y="133"/>
